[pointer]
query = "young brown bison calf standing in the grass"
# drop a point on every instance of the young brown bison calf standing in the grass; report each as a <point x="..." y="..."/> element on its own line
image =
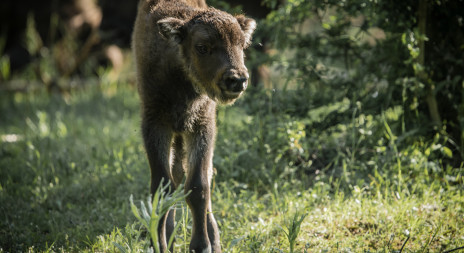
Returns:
<point x="189" y="58"/>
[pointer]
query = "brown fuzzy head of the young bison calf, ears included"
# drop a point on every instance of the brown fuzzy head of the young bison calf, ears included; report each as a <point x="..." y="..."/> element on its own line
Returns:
<point x="210" y="47"/>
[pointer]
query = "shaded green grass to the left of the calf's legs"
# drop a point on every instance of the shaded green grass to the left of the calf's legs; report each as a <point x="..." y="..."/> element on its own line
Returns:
<point x="67" y="176"/>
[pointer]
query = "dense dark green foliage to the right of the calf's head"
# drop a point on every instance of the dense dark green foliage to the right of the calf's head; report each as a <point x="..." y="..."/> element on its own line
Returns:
<point x="368" y="52"/>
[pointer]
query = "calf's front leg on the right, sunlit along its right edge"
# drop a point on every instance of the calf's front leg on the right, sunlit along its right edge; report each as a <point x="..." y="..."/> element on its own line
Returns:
<point x="200" y="155"/>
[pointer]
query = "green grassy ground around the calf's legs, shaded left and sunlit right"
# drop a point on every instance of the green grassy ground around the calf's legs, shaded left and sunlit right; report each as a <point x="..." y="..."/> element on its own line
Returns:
<point x="68" y="165"/>
